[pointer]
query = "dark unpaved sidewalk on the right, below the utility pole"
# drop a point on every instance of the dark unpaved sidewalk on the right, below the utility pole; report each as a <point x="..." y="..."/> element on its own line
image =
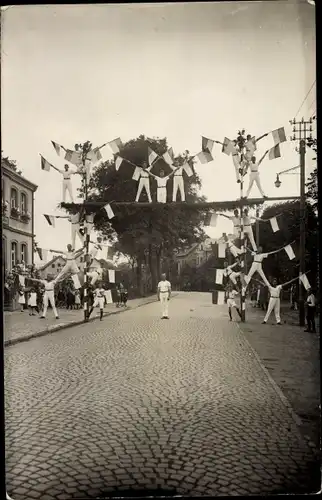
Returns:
<point x="292" y="358"/>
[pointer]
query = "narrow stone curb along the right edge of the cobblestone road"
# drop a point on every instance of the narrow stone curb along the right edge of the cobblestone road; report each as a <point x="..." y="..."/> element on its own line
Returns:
<point x="298" y="421"/>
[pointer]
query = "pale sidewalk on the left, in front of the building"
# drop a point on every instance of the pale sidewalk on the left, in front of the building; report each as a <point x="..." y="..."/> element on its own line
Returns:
<point x="19" y="327"/>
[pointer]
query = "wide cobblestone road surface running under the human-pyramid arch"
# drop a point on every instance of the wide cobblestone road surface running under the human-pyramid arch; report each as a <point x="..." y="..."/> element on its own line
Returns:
<point x="139" y="403"/>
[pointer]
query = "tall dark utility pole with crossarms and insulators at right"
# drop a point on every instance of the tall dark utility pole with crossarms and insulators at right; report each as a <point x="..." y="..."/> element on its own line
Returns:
<point x="300" y="134"/>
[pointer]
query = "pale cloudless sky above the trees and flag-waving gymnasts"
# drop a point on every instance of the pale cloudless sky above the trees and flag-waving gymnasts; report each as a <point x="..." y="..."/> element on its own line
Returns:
<point x="76" y="72"/>
